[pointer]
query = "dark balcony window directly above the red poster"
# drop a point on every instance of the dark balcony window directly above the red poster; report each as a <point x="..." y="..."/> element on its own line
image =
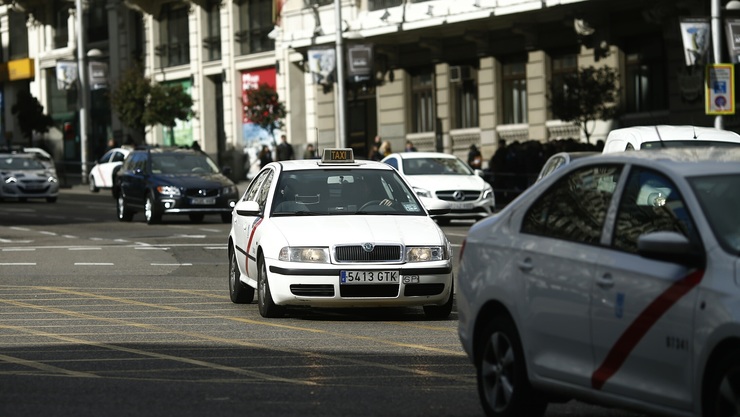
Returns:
<point x="255" y="23"/>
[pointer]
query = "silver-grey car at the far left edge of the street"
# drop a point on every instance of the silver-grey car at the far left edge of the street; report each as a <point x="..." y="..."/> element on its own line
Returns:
<point x="24" y="175"/>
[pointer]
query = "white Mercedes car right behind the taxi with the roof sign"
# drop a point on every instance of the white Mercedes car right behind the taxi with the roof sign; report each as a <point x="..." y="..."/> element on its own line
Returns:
<point x="446" y="177"/>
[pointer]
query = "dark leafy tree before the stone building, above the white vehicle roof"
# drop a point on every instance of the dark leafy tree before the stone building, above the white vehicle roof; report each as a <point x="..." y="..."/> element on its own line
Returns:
<point x="588" y="95"/>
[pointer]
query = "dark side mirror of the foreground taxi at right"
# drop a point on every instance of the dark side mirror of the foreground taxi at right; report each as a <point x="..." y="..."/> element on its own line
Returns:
<point x="670" y="247"/>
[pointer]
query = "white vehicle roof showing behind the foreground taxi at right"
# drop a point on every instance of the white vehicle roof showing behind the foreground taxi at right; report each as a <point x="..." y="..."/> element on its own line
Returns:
<point x="665" y="136"/>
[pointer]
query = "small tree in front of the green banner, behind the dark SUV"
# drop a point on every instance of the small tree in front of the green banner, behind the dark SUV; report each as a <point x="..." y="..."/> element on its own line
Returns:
<point x="167" y="104"/>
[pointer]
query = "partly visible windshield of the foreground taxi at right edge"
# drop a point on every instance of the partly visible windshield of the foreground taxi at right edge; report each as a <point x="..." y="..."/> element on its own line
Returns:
<point x="720" y="202"/>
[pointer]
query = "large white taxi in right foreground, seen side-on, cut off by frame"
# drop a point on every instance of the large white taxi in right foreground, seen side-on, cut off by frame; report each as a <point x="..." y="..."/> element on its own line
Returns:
<point x="614" y="280"/>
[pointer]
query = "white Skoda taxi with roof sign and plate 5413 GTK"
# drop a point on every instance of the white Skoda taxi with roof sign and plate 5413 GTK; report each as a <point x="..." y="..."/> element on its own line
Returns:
<point x="337" y="232"/>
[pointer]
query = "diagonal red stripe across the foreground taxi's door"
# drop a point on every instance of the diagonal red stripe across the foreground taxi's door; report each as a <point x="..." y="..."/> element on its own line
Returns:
<point x="642" y="324"/>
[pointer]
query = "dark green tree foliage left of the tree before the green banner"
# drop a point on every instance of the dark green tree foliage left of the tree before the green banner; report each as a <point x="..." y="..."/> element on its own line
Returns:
<point x="129" y="98"/>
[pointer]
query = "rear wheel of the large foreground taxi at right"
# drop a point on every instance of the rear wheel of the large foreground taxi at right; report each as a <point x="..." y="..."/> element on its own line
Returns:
<point x="503" y="387"/>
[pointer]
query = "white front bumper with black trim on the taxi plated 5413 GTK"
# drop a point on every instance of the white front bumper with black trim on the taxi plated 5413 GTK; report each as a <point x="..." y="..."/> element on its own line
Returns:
<point x="292" y="284"/>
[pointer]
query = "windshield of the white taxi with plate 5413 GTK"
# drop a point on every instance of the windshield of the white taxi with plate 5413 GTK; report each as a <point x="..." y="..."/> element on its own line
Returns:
<point x="344" y="192"/>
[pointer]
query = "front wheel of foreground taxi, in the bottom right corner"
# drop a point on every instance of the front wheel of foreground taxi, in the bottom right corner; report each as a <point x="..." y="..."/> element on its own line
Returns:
<point x="722" y="390"/>
